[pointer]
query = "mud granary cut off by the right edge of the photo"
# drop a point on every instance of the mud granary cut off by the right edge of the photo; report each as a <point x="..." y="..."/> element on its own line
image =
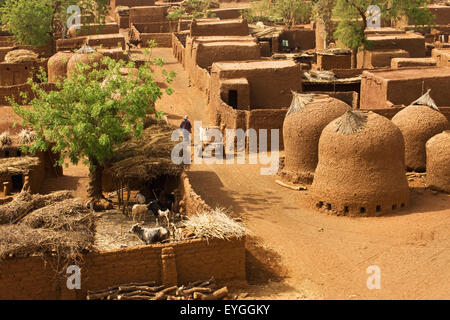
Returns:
<point x="438" y="162"/>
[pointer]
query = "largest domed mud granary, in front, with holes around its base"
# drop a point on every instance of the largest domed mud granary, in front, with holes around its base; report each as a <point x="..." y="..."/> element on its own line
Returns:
<point x="361" y="168"/>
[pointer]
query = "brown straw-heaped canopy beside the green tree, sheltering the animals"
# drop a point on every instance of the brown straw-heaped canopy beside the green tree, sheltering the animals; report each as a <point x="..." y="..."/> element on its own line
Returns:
<point x="146" y="157"/>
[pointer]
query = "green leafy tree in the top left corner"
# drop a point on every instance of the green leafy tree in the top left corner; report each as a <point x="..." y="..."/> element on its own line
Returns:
<point x="37" y="22"/>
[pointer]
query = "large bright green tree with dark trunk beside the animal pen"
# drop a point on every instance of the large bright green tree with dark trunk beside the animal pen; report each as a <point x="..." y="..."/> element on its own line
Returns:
<point x="92" y="113"/>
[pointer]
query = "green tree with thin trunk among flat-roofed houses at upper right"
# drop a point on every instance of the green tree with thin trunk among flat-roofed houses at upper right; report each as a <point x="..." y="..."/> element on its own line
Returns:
<point x="353" y="18"/>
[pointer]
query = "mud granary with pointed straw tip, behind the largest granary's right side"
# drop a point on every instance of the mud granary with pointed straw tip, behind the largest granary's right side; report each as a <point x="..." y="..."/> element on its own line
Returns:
<point x="418" y="124"/>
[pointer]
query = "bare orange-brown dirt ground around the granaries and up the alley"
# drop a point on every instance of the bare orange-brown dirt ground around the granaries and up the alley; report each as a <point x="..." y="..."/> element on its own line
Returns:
<point x="295" y="252"/>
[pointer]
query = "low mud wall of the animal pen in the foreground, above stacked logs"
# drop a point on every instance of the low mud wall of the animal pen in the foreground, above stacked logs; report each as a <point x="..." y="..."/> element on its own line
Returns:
<point x="34" y="278"/>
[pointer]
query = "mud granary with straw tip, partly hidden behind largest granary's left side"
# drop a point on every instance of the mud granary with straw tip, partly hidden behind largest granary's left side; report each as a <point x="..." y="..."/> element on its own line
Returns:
<point x="307" y="116"/>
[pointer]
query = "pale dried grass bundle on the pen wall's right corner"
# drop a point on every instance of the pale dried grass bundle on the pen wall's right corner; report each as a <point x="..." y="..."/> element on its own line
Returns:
<point x="215" y="224"/>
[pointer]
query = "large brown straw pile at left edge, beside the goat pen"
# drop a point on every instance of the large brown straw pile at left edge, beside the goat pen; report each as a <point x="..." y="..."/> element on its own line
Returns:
<point x="61" y="226"/>
